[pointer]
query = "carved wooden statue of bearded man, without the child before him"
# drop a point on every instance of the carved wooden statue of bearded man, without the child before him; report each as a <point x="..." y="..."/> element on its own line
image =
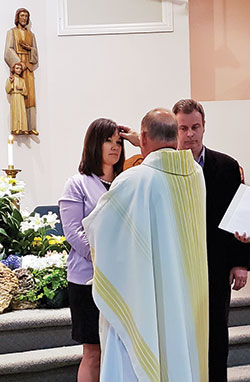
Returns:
<point x="21" y="47"/>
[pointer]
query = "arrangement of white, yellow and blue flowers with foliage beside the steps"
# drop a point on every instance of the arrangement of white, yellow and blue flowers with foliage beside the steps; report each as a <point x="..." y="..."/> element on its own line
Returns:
<point x="28" y="247"/>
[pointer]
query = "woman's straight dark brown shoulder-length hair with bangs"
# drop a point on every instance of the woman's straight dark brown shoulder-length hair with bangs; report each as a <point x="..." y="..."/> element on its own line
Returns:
<point x="98" y="132"/>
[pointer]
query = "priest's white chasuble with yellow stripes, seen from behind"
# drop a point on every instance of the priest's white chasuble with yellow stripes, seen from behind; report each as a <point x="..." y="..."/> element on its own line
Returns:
<point x="148" y="242"/>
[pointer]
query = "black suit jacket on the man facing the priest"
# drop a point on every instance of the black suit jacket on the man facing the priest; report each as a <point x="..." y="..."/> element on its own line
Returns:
<point x="222" y="177"/>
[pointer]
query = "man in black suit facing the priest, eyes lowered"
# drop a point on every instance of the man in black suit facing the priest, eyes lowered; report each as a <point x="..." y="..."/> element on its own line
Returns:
<point x="227" y="257"/>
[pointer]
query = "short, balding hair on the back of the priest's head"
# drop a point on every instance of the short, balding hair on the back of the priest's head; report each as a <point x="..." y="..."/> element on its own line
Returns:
<point x="160" y="124"/>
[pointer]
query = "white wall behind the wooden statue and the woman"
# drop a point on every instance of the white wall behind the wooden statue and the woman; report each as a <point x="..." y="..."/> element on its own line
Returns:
<point x="81" y="78"/>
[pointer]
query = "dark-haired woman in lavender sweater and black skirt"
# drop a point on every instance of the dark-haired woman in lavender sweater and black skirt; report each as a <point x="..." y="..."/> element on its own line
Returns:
<point x="102" y="160"/>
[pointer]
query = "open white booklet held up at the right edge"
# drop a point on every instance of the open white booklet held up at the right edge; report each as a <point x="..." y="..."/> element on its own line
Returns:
<point x="237" y="216"/>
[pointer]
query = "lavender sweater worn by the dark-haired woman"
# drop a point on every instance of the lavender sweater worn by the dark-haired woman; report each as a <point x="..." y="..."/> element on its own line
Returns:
<point x="81" y="193"/>
